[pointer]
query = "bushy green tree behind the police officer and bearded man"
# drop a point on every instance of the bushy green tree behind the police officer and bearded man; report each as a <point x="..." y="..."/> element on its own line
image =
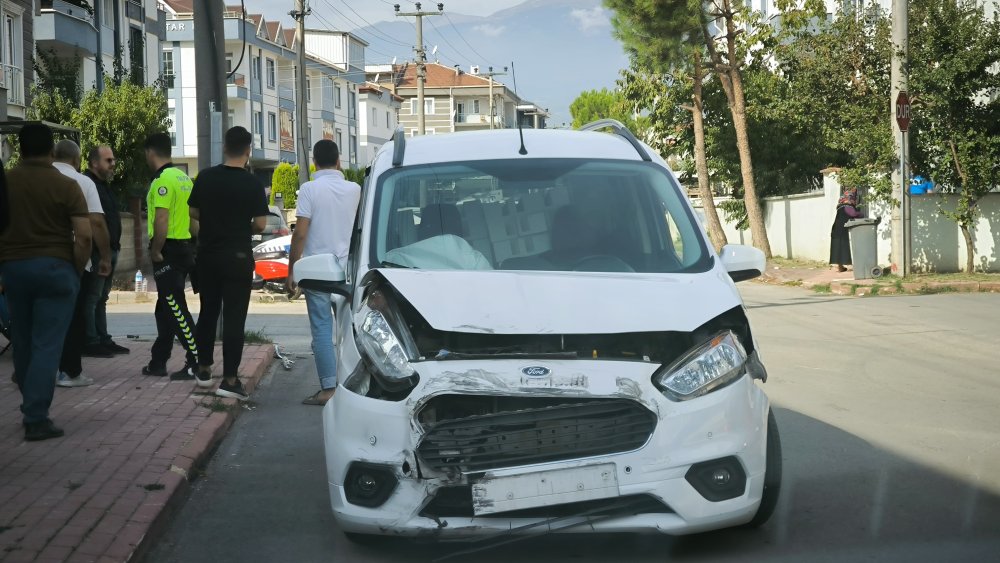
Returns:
<point x="122" y="116"/>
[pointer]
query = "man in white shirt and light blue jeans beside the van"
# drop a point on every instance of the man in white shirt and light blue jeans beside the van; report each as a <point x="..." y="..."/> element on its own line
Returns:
<point x="324" y="219"/>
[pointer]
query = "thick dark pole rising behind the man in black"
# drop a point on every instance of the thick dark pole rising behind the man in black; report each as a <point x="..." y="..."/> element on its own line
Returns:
<point x="210" y="76"/>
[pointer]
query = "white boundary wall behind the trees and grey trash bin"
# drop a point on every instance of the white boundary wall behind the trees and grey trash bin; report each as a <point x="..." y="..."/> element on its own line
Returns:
<point x="798" y="226"/>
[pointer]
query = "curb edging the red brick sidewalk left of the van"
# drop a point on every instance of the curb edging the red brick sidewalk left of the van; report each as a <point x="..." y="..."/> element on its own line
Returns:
<point x="193" y="457"/>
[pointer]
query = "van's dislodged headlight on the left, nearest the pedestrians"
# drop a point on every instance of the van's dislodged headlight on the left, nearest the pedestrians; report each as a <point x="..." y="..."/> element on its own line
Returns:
<point x="386" y="343"/>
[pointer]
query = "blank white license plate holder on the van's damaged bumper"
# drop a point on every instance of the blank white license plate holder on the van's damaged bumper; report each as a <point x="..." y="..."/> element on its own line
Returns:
<point x="493" y="494"/>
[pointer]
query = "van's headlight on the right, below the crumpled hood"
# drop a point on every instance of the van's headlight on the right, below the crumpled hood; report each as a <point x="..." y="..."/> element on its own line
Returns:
<point x="716" y="363"/>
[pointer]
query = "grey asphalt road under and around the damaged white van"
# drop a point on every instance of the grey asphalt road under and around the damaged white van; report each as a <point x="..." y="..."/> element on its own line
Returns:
<point x="887" y="409"/>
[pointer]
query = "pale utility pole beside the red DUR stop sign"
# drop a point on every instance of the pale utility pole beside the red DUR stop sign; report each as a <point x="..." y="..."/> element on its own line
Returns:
<point x="899" y="79"/>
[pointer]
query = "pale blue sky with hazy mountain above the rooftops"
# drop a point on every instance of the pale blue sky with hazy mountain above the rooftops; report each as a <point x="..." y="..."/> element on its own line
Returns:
<point x="560" y="47"/>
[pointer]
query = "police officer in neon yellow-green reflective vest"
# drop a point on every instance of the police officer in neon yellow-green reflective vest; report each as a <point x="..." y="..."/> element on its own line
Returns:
<point x="171" y="250"/>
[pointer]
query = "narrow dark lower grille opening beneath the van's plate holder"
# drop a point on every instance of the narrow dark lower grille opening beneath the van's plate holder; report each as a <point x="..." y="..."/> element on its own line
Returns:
<point x="456" y="502"/>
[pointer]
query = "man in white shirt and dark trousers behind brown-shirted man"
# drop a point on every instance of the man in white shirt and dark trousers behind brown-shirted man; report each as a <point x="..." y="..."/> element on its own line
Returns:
<point x="67" y="160"/>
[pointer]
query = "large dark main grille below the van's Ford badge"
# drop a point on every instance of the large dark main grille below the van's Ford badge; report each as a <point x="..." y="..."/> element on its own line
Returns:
<point x="554" y="432"/>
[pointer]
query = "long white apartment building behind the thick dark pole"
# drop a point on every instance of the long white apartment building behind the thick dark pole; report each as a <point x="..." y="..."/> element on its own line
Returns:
<point x="261" y="59"/>
